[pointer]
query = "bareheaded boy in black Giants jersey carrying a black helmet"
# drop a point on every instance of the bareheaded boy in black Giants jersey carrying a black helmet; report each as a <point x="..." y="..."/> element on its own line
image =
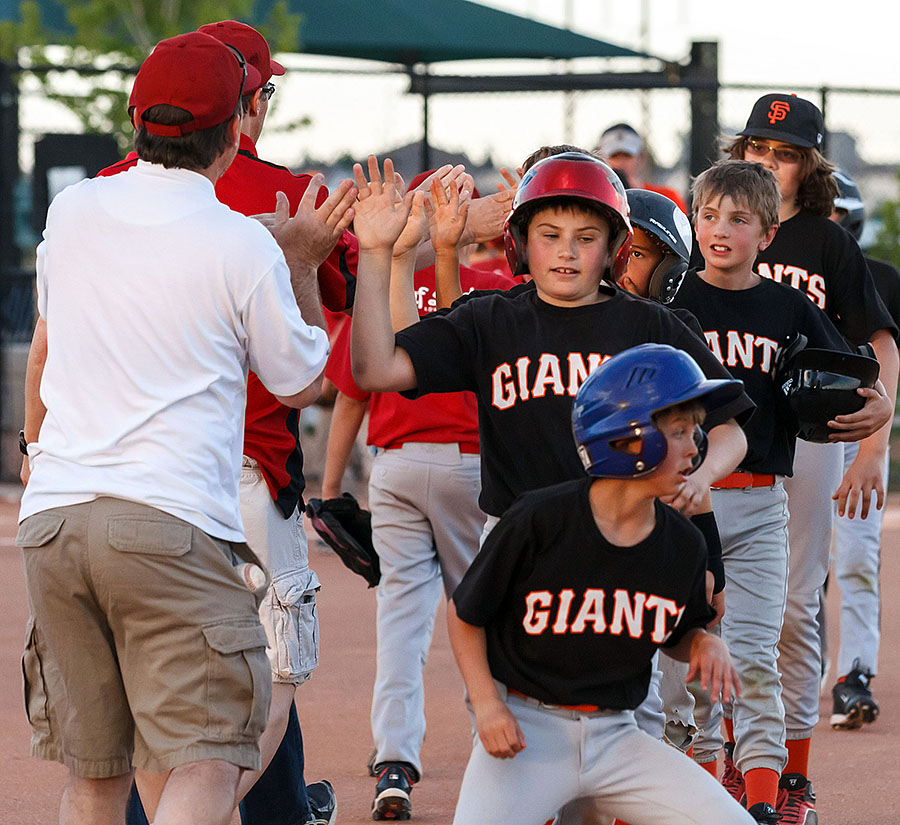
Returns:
<point x="745" y="318"/>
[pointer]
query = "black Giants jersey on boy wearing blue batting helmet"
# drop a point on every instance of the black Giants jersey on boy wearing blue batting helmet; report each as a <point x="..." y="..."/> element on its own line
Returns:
<point x="571" y="619"/>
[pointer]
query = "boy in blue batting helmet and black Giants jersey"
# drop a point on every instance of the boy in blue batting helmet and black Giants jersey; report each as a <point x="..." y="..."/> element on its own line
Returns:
<point x="555" y="624"/>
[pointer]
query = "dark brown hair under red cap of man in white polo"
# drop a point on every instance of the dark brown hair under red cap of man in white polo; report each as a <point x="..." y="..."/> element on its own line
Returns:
<point x="195" y="151"/>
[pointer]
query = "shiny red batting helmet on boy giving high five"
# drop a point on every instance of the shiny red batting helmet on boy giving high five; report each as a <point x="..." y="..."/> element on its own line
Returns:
<point x="580" y="177"/>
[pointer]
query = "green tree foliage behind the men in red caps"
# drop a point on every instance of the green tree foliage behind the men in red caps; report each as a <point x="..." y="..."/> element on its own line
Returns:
<point x="112" y="37"/>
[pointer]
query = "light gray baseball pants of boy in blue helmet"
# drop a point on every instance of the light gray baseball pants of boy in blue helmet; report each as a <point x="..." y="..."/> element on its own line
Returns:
<point x="604" y="761"/>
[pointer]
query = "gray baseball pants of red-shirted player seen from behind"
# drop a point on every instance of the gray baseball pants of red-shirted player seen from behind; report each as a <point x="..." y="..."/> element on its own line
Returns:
<point x="425" y="527"/>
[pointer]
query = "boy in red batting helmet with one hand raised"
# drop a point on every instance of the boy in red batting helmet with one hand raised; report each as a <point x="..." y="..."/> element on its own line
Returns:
<point x="526" y="352"/>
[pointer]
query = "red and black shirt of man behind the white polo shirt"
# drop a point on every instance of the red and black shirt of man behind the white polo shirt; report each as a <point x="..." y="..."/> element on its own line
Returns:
<point x="271" y="430"/>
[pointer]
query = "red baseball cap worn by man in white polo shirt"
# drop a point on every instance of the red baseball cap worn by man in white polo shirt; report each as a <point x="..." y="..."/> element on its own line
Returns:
<point x="194" y="72"/>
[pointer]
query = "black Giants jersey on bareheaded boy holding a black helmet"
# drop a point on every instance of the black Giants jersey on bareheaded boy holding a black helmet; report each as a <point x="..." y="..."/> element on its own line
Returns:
<point x="744" y="328"/>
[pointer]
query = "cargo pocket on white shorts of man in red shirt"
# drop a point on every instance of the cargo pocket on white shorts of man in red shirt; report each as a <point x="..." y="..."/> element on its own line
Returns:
<point x="296" y="627"/>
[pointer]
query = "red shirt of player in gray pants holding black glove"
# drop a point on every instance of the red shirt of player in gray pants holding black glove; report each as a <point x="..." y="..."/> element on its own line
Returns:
<point x="440" y="418"/>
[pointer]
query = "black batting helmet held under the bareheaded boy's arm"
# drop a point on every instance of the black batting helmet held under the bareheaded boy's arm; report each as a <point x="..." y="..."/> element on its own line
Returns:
<point x="820" y="384"/>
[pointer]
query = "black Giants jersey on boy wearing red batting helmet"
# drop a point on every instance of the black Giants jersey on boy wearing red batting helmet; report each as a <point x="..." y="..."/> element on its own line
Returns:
<point x="525" y="360"/>
